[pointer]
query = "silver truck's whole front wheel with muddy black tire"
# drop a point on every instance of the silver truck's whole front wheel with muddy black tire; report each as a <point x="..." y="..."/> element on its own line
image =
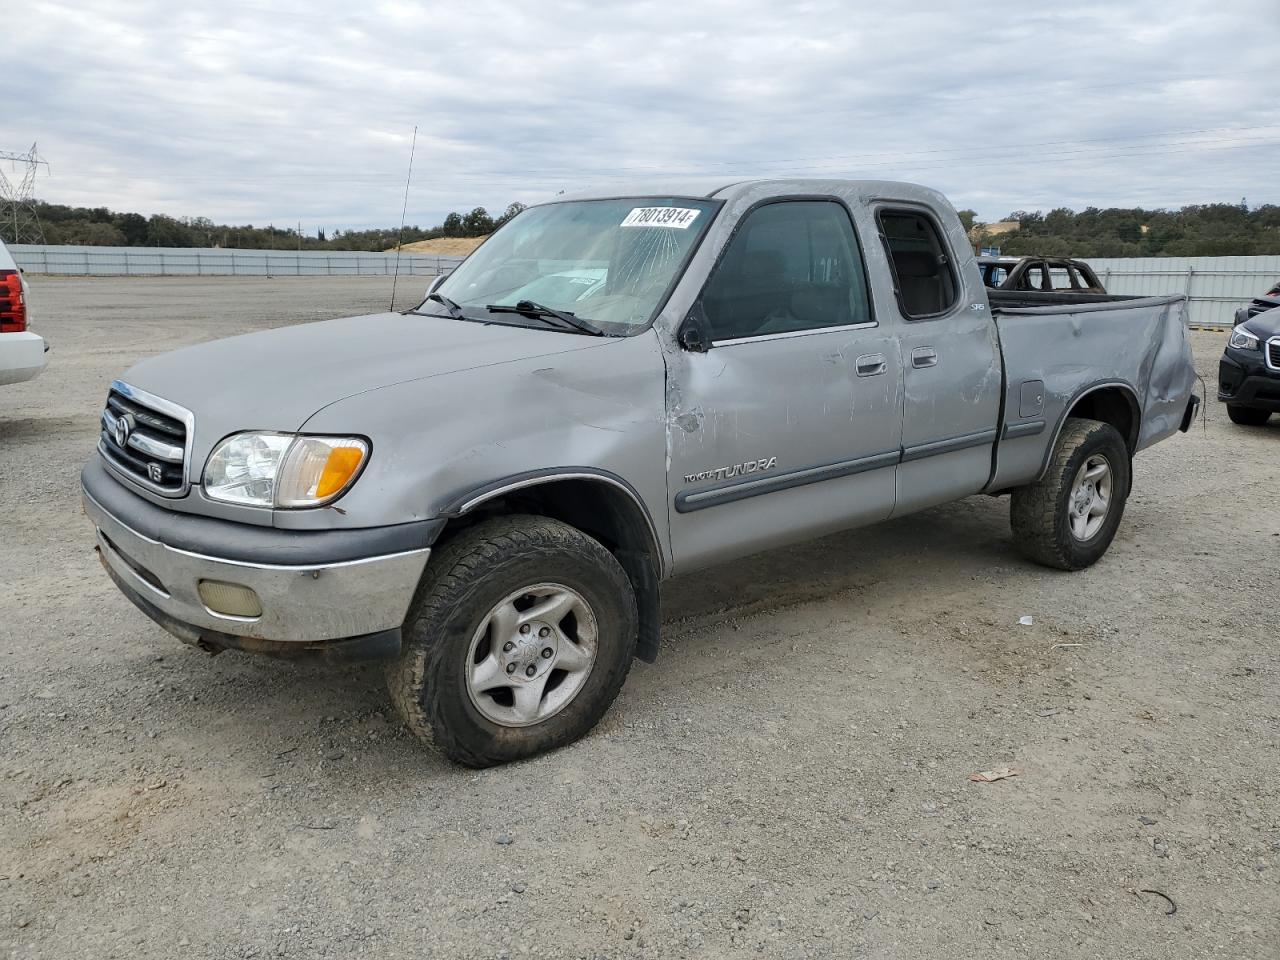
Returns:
<point x="518" y="642"/>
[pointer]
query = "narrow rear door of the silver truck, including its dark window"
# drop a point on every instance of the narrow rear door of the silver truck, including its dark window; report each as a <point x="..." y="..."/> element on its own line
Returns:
<point x="952" y="376"/>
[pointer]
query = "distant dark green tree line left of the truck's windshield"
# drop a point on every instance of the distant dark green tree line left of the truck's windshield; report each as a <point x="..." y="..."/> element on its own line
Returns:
<point x="108" y="228"/>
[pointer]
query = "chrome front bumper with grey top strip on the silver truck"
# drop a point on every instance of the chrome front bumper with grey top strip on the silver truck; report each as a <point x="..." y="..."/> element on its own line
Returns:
<point x="319" y="592"/>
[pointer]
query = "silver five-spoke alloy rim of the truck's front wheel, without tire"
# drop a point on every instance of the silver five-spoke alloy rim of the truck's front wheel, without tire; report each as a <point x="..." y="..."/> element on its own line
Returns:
<point x="532" y="655"/>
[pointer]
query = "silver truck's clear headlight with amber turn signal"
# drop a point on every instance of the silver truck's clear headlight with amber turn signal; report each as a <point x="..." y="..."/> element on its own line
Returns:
<point x="284" y="470"/>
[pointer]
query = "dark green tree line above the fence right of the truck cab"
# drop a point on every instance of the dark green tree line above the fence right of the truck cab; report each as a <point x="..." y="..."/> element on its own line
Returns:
<point x="1200" y="231"/>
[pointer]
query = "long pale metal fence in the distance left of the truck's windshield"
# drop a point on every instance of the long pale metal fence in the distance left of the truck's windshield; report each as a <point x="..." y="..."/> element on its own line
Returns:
<point x="205" y="262"/>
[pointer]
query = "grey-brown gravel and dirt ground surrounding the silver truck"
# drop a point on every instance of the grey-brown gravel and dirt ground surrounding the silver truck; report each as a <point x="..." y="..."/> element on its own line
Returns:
<point x="789" y="780"/>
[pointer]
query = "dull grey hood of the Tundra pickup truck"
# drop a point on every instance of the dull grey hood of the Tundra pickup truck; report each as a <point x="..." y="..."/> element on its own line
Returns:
<point x="277" y="380"/>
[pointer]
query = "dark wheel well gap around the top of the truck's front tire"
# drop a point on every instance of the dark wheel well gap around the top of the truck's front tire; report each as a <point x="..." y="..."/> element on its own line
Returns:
<point x="604" y="513"/>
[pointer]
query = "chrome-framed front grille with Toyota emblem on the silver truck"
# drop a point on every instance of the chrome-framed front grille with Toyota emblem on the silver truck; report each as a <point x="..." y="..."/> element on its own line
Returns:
<point x="148" y="440"/>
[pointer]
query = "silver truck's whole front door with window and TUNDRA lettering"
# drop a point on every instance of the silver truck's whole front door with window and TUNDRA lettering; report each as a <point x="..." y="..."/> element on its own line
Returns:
<point x="790" y="424"/>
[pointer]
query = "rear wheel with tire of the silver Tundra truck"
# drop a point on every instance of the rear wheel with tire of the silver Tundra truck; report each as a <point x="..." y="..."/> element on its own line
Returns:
<point x="1068" y="519"/>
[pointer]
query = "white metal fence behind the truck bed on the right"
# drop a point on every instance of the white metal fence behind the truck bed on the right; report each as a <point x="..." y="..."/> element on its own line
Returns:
<point x="1215" y="286"/>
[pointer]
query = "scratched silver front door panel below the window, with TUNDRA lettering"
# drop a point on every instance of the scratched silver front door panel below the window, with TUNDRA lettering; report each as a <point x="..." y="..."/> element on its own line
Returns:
<point x="775" y="441"/>
